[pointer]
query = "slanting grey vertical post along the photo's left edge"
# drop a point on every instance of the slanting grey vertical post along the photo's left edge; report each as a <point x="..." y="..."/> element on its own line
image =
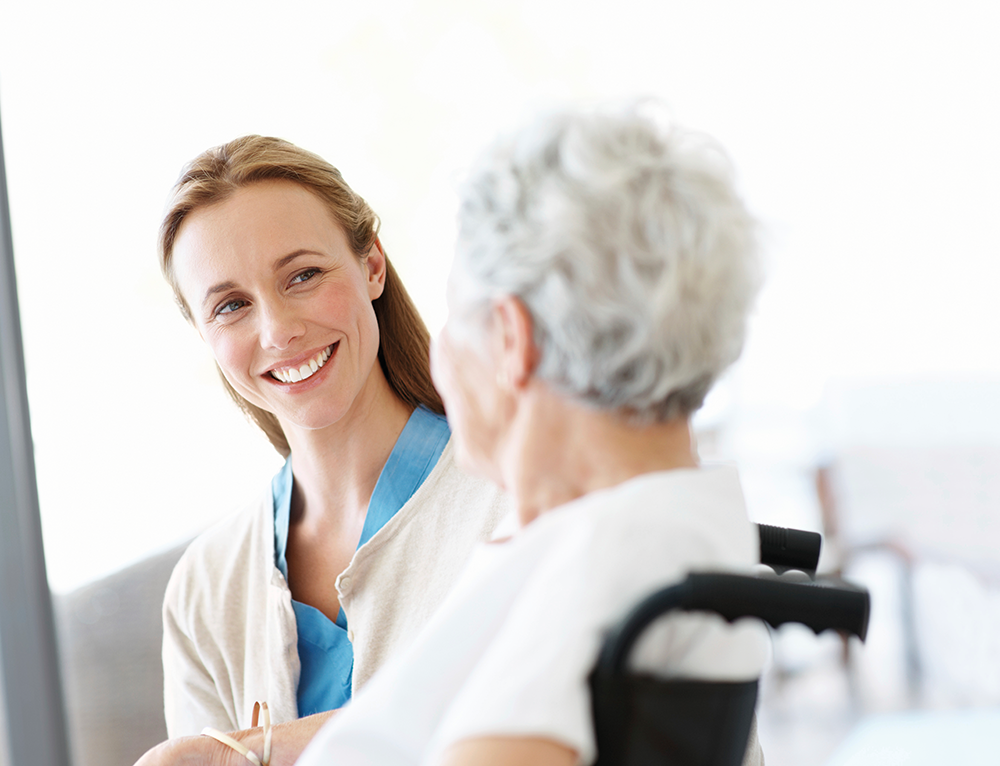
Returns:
<point x="36" y="717"/>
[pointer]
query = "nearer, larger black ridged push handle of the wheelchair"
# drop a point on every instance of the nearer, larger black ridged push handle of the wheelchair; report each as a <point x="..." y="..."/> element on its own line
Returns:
<point x="821" y="605"/>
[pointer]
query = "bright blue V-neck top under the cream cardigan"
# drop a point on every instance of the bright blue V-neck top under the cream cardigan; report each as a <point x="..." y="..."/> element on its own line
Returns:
<point x="325" y="653"/>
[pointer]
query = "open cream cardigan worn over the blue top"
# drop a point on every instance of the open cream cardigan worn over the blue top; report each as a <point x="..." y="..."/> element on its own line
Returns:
<point x="229" y="633"/>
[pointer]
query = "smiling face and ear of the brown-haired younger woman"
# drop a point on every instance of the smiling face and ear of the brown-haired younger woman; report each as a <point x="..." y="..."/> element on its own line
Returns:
<point x="282" y="301"/>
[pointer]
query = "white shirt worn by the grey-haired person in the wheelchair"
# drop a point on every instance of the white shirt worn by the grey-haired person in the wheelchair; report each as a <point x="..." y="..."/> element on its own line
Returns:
<point x="509" y="651"/>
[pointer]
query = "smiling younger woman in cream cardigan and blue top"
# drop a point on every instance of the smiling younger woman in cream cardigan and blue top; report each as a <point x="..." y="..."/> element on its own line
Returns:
<point x="277" y="264"/>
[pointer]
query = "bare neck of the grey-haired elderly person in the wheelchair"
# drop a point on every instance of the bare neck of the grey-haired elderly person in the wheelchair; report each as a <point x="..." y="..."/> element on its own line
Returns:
<point x="558" y="451"/>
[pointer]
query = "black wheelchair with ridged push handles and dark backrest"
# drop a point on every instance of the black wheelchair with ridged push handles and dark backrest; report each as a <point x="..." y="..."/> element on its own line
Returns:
<point x="642" y="720"/>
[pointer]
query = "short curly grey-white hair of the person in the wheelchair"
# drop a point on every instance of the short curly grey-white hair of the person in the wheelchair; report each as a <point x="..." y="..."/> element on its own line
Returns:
<point x="629" y="246"/>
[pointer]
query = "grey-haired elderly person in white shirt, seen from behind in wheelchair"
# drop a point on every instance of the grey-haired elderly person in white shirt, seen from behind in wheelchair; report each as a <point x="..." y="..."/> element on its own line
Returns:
<point x="604" y="272"/>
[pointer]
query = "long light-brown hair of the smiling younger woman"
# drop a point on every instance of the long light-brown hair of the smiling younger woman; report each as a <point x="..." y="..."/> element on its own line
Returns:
<point x="215" y="174"/>
